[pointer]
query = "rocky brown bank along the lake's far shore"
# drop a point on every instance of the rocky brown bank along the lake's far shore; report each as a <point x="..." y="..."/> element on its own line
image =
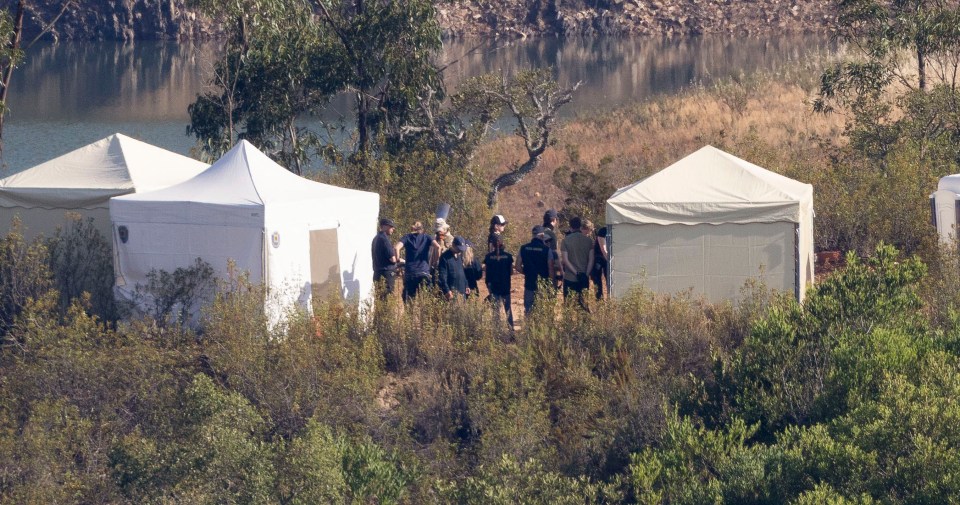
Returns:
<point x="170" y="19"/>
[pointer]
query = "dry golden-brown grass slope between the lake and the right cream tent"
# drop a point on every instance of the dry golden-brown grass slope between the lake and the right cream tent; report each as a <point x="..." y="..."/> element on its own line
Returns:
<point x="737" y="115"/>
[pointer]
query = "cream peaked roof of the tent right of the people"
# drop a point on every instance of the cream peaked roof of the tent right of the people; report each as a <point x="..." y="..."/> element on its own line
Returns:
<point x="710" y="186"/>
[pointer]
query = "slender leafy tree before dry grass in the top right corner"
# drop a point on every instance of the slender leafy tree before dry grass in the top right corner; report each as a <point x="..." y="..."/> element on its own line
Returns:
<point x="901" y="82"/>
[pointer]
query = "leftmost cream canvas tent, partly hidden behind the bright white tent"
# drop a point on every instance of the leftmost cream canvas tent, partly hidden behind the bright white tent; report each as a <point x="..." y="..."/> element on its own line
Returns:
<point x="82" y="182"/>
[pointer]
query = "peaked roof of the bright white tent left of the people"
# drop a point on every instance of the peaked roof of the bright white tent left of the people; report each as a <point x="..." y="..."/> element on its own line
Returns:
<point x="244" y="176"/>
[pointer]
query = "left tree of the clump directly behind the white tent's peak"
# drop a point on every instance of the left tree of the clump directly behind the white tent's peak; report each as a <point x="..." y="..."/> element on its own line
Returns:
<point x="276" y="66"/>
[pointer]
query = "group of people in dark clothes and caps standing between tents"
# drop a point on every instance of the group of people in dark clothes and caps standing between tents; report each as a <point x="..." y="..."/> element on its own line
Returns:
<point x="449" y="263"/>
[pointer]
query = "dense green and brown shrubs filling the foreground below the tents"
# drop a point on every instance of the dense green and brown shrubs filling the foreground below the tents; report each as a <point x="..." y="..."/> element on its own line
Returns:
<point x="648" y="399"/>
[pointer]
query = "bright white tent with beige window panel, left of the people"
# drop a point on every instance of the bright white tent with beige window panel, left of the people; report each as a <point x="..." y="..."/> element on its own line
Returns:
<point x="295" y="236"/>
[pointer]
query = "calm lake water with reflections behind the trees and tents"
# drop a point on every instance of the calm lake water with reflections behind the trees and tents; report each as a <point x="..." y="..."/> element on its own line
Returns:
<point x="68" y="95"/>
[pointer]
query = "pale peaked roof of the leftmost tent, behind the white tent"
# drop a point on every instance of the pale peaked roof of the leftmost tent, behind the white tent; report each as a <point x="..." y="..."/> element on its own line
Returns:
<point x="89" y="175"/>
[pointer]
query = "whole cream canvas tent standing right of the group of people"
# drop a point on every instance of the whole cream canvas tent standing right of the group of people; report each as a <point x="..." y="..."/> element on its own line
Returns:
<point x="710" y="222"/>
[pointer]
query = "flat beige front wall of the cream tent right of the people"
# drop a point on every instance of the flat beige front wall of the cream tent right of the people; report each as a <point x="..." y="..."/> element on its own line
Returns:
<point x="712" y="260"/>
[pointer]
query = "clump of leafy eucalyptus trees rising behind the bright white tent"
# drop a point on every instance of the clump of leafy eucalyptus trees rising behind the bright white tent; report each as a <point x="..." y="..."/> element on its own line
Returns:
<point x="287" y="58"/>
